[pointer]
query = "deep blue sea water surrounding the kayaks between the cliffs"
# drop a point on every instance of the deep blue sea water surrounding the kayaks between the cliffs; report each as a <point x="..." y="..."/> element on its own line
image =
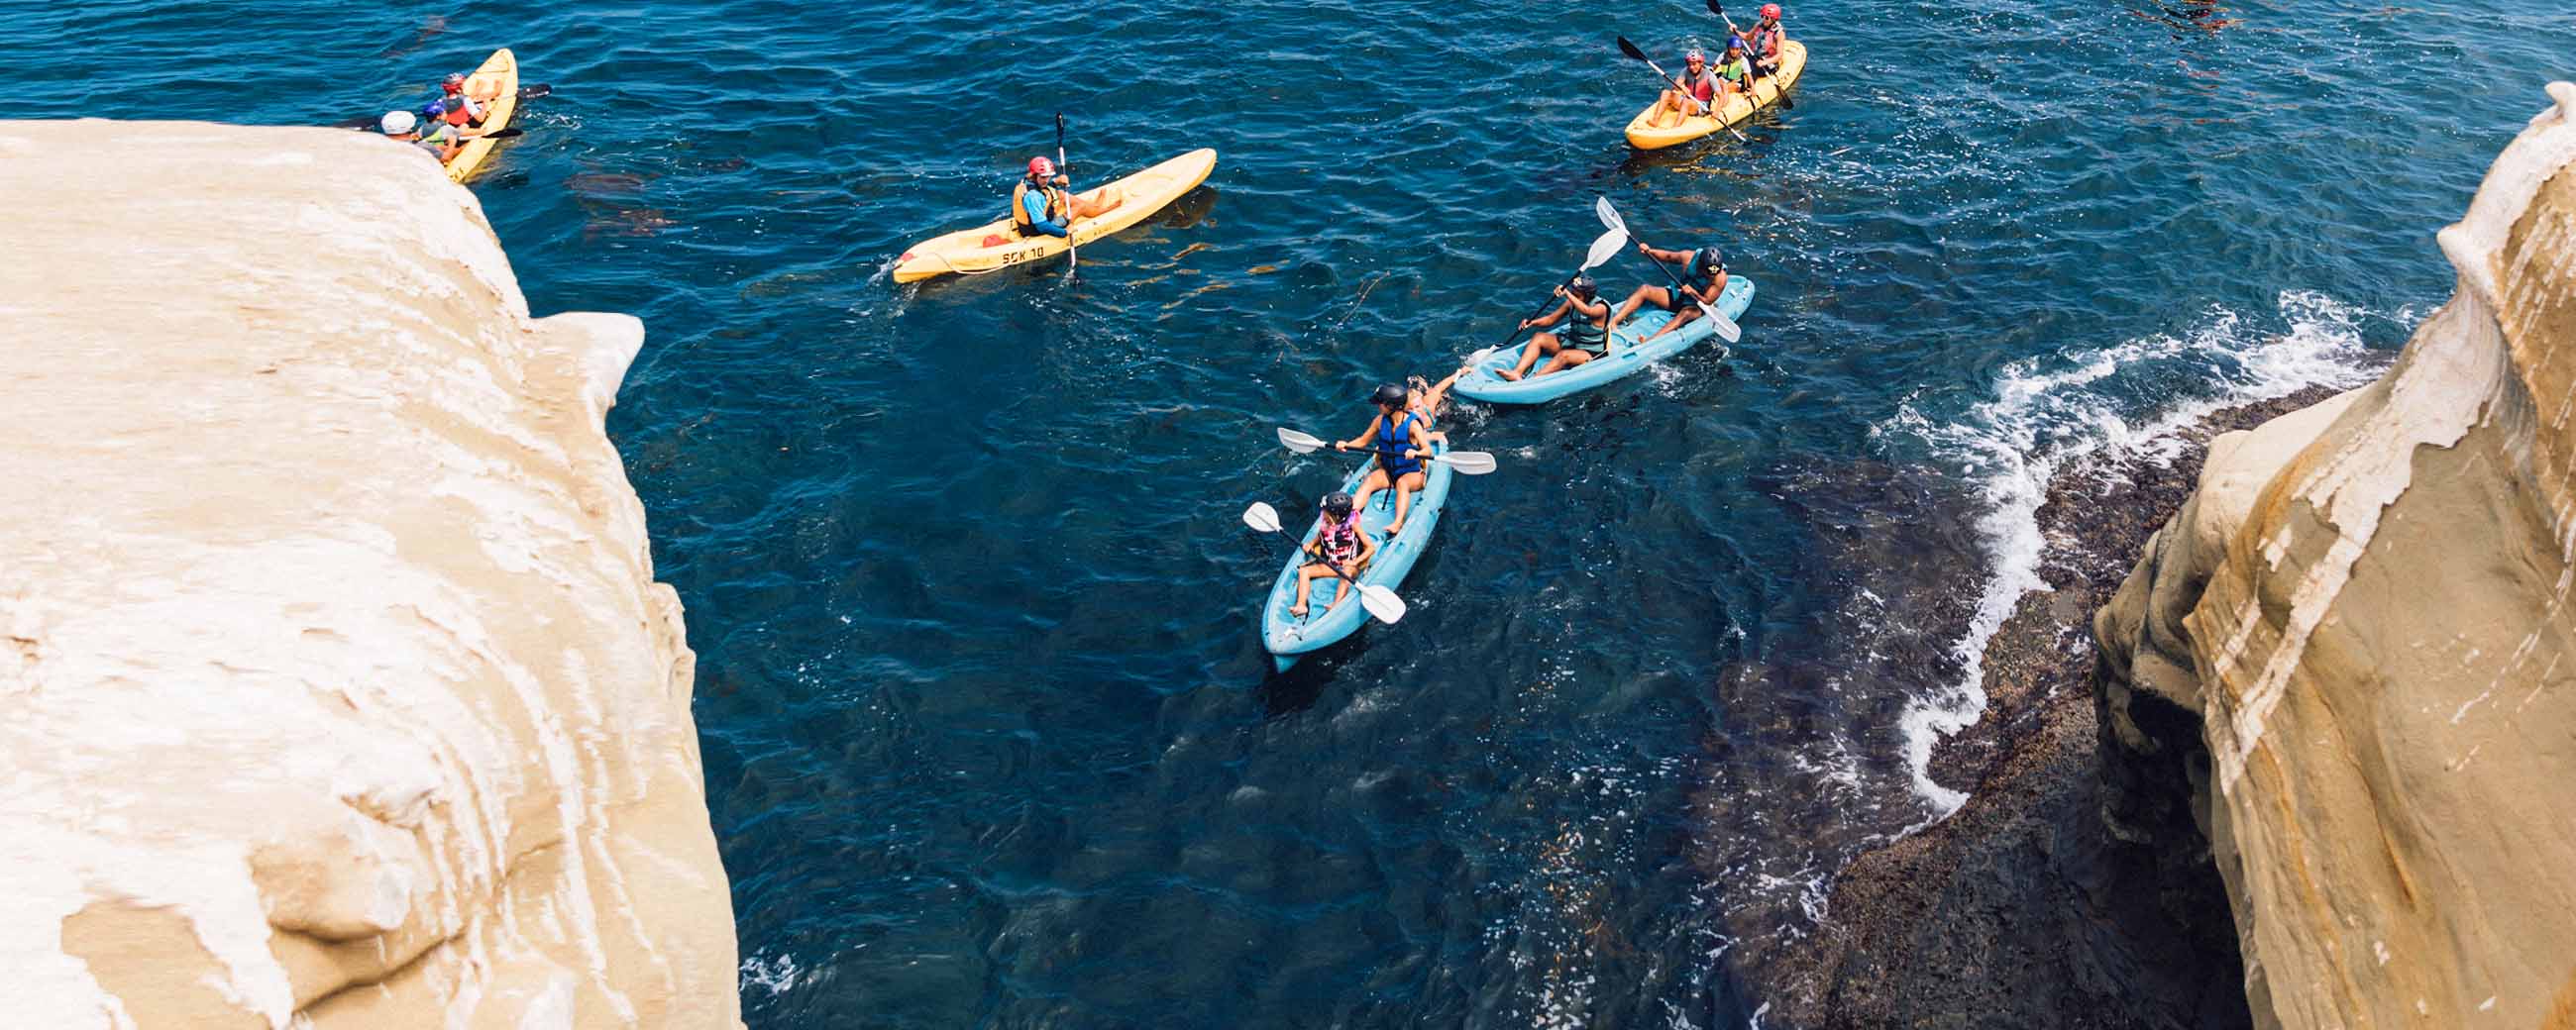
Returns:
<point x="988" y="730"/>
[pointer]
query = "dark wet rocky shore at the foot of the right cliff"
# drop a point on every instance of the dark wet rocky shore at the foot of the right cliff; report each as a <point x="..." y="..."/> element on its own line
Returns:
<point x="2072" y="890"/>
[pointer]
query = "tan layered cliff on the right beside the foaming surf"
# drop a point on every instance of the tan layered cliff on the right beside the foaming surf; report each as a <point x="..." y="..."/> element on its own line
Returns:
<point x="2366" y="606"/>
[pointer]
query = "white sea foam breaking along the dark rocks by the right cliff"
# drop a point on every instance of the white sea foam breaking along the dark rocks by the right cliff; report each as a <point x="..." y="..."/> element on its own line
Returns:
<point x="2052" y="411"/>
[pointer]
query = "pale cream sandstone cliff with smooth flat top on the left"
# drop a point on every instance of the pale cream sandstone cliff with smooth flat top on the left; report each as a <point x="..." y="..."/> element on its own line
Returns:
<point x="334" y="679"/>
